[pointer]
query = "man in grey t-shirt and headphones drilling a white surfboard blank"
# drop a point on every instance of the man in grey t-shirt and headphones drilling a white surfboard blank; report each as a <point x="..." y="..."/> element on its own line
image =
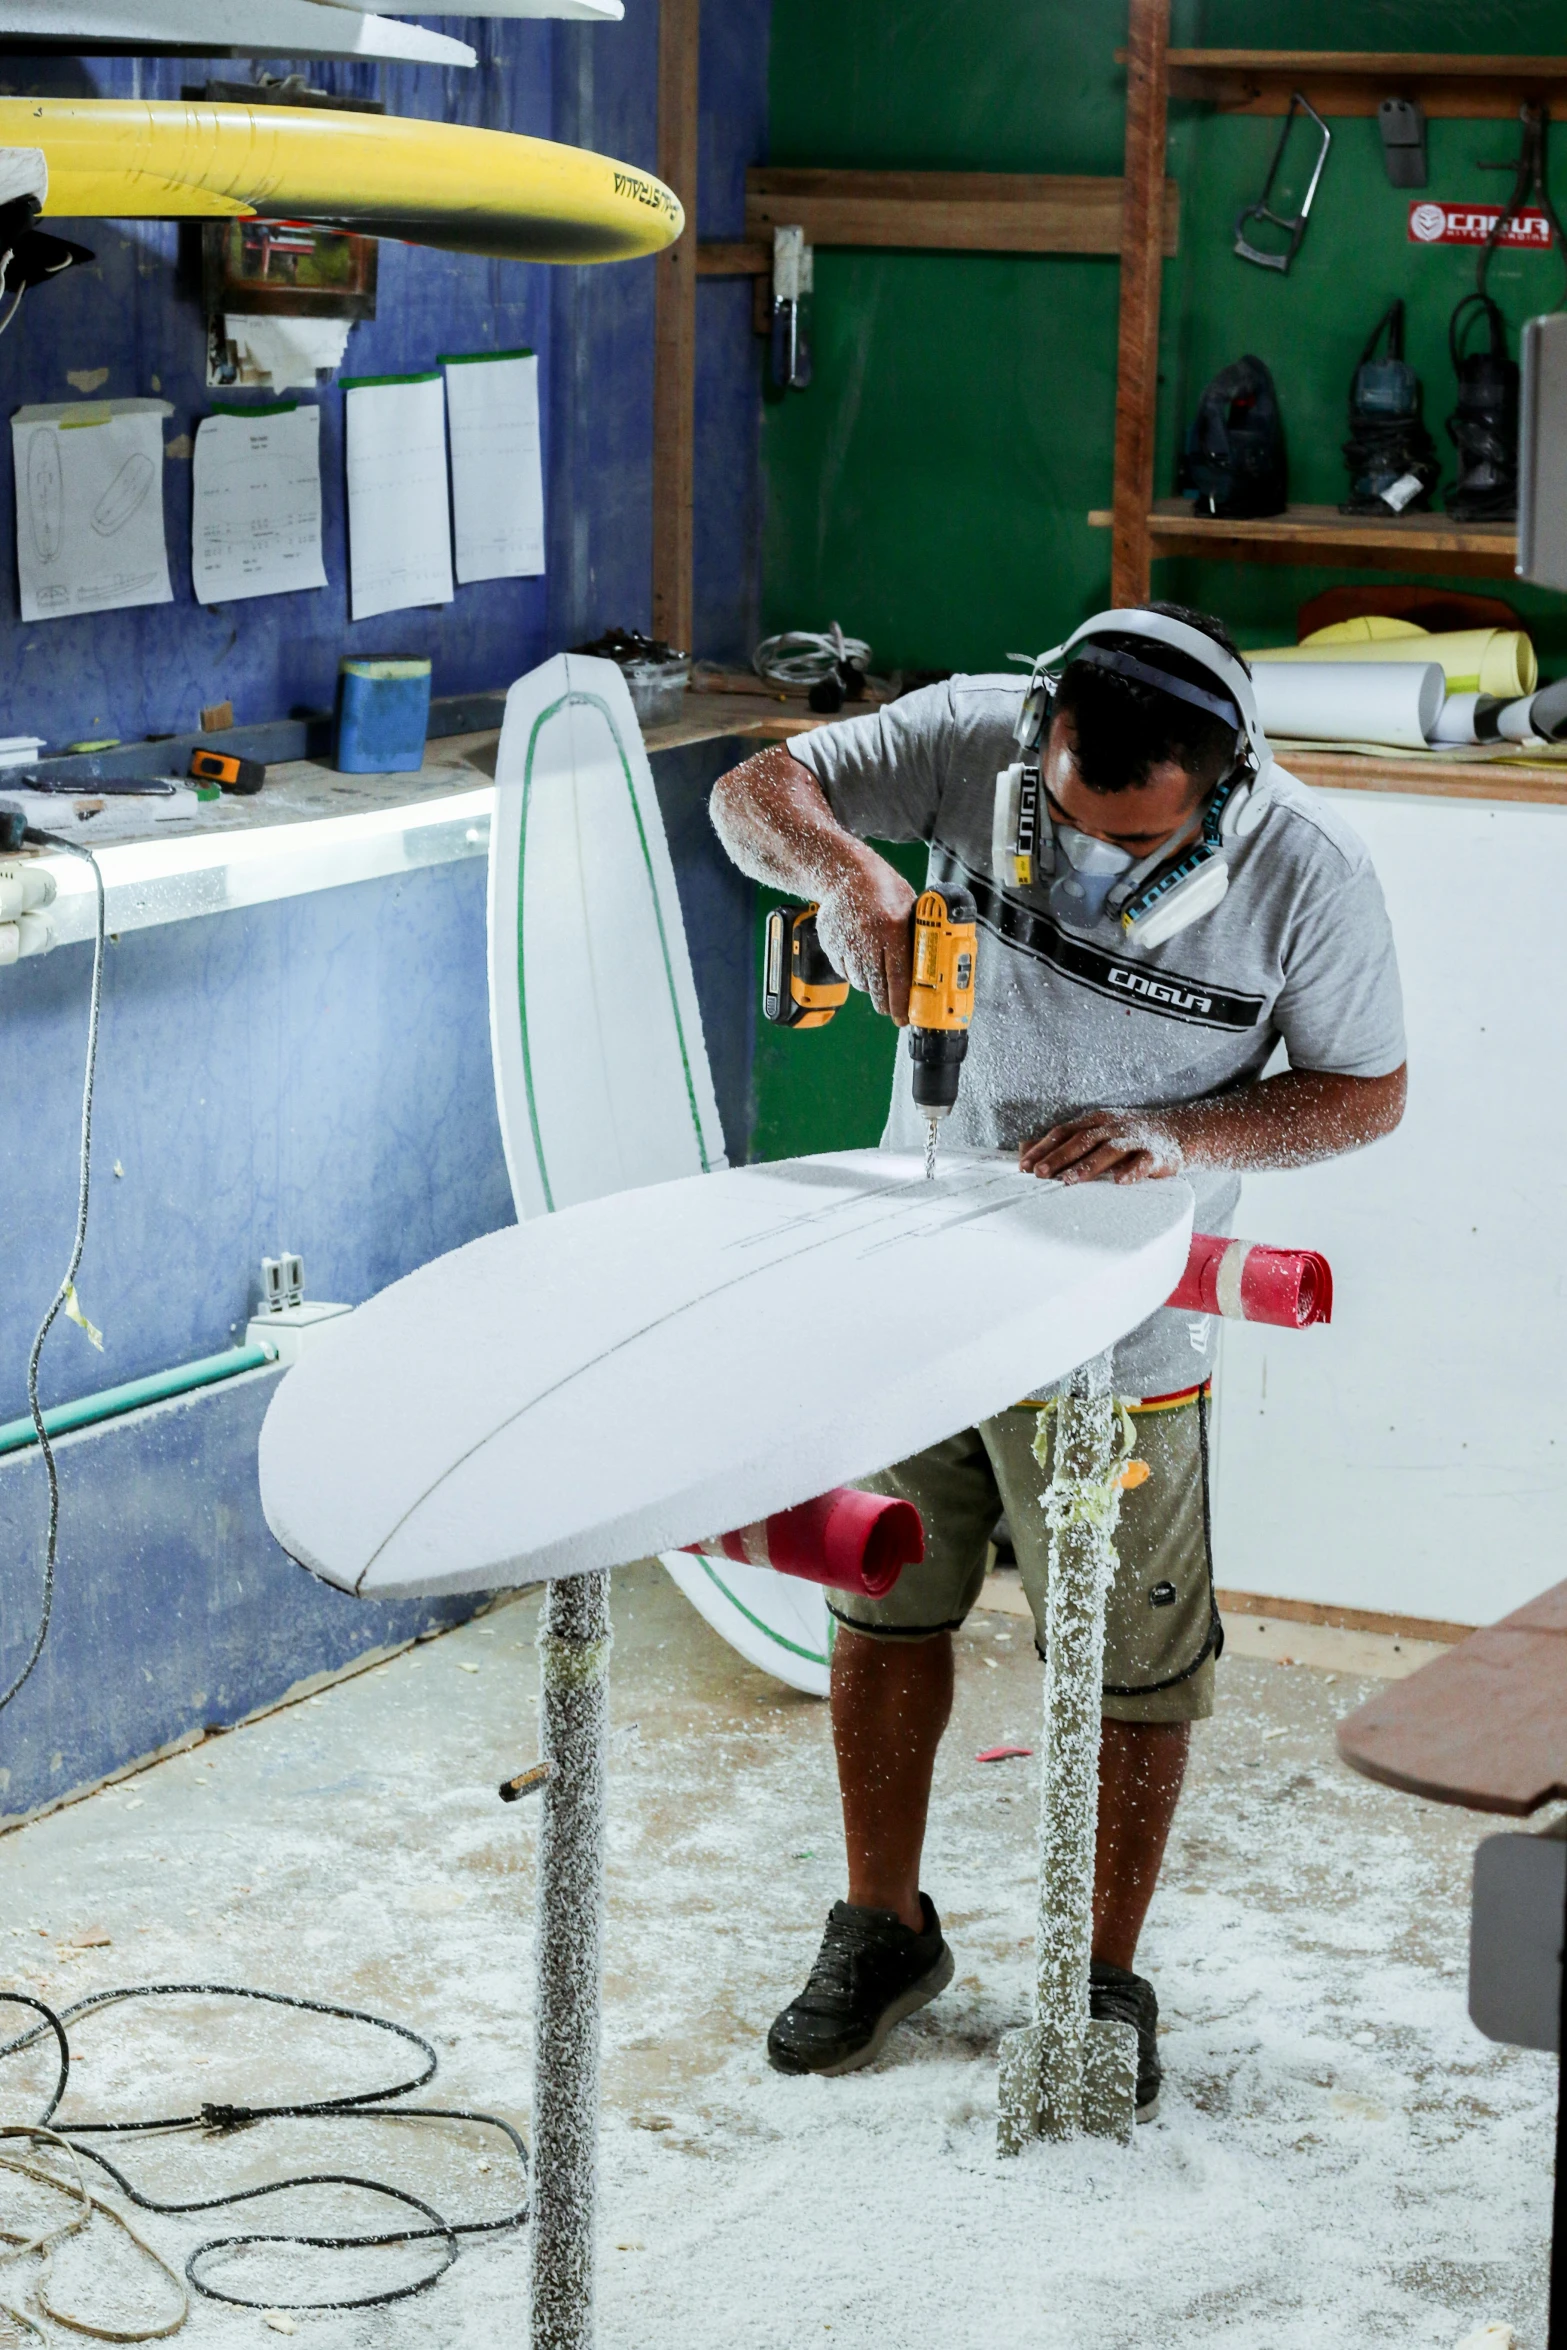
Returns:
<point x="1190" y="908"/>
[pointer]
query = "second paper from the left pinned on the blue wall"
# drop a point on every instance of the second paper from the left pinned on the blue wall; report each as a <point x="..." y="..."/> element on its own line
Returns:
<point x="257" y="504"/>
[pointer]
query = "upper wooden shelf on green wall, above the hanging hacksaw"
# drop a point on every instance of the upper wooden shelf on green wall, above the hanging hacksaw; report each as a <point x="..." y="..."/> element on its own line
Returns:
<point x="1357" y="81"/>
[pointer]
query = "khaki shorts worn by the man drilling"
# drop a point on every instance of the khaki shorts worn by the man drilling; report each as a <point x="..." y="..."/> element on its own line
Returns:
<point x="1162" y="1625"/>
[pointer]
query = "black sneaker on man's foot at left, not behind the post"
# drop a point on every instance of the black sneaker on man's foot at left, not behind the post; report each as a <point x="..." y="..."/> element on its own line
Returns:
<point x="870" y="1973"/>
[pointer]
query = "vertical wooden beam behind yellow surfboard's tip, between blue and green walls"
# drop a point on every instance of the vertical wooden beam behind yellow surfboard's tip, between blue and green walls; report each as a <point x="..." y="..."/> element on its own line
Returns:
<point x="675" y="328"/>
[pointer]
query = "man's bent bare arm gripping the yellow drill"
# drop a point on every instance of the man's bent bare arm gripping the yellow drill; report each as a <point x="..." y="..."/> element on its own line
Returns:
<point x="774" y="821"/>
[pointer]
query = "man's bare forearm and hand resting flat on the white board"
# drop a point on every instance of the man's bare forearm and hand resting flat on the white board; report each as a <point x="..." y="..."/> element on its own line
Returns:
<point x="1286" y="1122"/>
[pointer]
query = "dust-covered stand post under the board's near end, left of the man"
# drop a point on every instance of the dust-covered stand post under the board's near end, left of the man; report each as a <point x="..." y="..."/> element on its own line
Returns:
<point x="574" y="1646"/>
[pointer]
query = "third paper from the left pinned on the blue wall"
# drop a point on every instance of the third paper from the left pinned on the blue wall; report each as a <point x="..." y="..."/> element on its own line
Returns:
<point x="398" y="509"/>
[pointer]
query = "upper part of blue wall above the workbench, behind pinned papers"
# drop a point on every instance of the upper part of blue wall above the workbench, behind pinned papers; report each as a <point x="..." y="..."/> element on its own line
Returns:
<point x="137" y="316"/>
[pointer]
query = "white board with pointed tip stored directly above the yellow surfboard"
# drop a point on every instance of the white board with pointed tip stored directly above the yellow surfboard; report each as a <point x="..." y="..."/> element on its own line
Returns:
<point x="246" y="27"/>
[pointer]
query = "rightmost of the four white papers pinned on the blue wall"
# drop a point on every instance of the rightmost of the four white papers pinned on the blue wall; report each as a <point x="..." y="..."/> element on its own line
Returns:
<point x="497" y="476"/>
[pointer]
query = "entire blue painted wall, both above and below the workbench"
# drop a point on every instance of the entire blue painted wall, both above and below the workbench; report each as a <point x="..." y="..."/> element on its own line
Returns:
<point x="316" y="1073"/>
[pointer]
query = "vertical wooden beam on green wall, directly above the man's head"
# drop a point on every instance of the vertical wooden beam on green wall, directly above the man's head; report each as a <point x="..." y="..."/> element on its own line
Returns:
<point x="1143" y="220"/>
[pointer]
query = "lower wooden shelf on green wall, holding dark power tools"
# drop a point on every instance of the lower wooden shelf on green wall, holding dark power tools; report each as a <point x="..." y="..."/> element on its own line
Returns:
<point x="1321" y="535"/>
